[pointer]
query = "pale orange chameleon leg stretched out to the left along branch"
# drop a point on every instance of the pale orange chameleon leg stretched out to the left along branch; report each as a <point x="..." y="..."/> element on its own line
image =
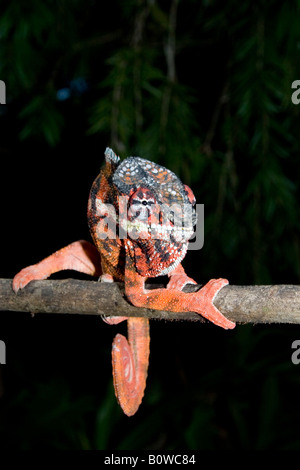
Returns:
<point x="81" y="256"/>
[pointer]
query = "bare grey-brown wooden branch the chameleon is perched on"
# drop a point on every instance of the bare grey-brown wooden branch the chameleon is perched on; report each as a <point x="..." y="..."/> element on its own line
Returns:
<point x="242" y="304"/>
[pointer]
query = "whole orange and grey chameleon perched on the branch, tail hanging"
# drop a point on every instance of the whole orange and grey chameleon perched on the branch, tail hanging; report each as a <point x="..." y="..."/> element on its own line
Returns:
<point x="147" y="242"/>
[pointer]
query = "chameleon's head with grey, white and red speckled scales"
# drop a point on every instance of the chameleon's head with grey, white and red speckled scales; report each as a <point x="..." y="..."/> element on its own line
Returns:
<point x="160" y="214"/>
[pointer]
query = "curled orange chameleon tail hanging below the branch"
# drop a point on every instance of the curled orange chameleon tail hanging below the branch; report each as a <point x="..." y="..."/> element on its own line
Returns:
<point x="130" y="364"/>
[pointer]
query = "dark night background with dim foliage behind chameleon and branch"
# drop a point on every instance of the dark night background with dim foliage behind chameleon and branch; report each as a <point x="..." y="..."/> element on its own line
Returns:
<point x="204" y="88"/>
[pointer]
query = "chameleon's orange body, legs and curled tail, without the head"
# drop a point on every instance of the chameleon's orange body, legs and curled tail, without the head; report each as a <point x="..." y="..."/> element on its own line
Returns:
<point x="116" y="262"/>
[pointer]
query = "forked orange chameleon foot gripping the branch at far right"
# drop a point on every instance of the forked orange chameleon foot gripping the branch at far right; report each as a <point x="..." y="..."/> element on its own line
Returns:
<point x="202" y="302"/>
